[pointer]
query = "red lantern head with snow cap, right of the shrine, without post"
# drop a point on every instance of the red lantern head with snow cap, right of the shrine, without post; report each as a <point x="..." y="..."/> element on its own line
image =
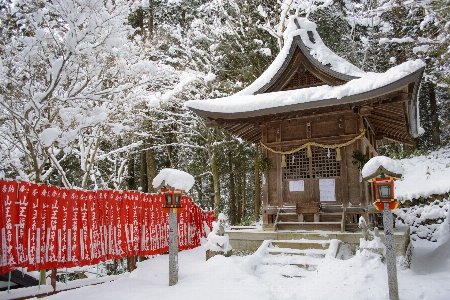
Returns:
<point x="382" y="172"/>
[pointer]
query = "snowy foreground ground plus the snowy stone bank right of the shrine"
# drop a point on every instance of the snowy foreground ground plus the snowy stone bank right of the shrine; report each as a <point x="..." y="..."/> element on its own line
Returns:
<point x="360" y="276"/>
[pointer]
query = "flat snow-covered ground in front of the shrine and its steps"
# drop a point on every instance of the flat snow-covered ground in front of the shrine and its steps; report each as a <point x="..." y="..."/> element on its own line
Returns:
<point x="362" y="276"/>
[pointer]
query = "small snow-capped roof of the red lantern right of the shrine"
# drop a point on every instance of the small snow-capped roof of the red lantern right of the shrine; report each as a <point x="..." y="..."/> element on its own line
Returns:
<point x="381" y="164"/>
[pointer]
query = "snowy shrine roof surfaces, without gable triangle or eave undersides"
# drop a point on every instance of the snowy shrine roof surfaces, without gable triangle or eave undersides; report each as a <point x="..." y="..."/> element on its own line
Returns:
<point x="302" y="34"/>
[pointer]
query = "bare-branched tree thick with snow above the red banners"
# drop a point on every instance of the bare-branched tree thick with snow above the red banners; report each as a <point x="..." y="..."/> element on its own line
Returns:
<point x="68" y="72"/>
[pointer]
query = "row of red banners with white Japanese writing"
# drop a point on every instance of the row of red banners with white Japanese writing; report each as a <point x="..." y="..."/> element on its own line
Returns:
<point x="45" y="227"/>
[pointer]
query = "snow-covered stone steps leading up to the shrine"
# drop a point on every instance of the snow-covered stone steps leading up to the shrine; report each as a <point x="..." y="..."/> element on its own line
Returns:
<point x="295" y="258"/>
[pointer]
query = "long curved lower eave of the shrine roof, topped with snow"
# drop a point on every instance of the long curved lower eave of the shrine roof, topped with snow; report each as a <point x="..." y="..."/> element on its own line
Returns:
<point x="325" y="95"/>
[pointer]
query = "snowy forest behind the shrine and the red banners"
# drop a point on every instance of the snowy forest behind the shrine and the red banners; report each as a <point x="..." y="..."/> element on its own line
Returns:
<point x="92" y="92"/>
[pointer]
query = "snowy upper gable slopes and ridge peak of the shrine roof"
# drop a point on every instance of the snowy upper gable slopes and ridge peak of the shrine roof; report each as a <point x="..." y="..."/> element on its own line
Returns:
<point x="301" y="33"/>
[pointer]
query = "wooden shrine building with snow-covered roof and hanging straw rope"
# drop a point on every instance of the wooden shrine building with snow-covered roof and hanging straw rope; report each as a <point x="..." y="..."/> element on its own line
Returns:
<point x="311" y="111"/>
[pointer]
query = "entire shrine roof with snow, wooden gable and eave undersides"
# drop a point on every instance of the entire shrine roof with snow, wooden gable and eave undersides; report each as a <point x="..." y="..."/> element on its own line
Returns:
<point x="307" y="76"/>
